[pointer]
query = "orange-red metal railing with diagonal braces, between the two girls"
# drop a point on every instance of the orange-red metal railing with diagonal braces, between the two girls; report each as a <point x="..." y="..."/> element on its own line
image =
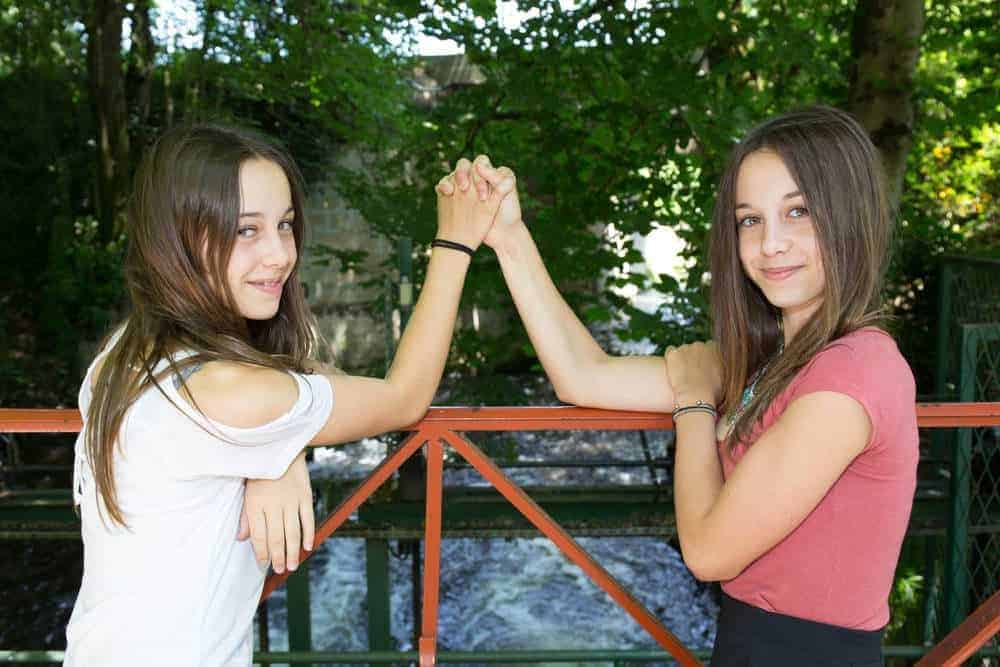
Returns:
<point x="441" y="426"/>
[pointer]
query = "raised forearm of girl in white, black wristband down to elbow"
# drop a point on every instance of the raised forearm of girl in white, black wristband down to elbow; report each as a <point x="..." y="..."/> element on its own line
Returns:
<point x="423" y="349"/>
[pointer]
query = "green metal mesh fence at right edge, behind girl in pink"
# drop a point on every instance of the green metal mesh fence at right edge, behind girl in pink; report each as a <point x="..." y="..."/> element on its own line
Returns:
<point x="964" y="570"/>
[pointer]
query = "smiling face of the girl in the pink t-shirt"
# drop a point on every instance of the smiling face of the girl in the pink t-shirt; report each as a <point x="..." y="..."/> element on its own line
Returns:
<point x="779" y="250"/>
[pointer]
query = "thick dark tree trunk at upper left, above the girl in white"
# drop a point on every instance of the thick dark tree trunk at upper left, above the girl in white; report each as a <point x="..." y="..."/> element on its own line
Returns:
<point x="107" y="92"/>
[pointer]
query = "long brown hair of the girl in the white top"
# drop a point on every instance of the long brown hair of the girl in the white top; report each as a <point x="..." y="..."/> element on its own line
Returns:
<point x="182" y="226"/>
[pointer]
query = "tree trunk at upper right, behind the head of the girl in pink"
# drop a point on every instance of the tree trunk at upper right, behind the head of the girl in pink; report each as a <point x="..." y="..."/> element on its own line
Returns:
<point x="885" y="45"/>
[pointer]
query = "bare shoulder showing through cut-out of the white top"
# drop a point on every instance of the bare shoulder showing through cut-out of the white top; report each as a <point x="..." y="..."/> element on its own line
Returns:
<point x="241" y="395"/>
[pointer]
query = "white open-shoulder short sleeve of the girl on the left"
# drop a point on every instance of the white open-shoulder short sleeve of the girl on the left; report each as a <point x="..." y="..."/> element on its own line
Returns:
<point x="262" y="452"/>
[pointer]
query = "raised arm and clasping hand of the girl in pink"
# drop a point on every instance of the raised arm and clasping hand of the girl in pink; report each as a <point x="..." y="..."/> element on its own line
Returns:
<point x="580" y="371"/>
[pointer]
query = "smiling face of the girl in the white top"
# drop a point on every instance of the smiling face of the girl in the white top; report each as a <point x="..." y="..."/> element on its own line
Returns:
<point x="264" y="253"/>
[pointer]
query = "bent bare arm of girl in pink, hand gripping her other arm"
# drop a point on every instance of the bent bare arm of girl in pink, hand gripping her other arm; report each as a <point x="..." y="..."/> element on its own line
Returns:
<point x="723" y="526"/>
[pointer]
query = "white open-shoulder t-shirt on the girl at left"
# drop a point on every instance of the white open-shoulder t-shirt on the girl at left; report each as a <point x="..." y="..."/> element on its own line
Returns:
<point x="175" y="587"/>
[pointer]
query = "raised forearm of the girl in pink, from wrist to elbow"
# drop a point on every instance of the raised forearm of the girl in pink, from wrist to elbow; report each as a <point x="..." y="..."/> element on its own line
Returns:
<point x="563" y="344"/>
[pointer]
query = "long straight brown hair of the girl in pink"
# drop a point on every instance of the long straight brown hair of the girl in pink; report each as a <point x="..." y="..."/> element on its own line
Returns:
<point x="837" y="168"/>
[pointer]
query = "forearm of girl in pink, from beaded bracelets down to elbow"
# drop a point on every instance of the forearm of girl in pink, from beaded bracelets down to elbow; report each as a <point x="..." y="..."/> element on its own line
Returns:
<point x="698" y="483"/>
